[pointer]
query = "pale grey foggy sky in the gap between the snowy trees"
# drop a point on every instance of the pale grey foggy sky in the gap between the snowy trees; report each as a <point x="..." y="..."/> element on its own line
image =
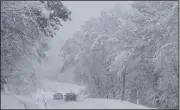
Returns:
<point x="81" y="12"/>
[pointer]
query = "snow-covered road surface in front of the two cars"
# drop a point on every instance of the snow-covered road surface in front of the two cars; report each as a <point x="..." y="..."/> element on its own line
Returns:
<point x="90" y="103"/>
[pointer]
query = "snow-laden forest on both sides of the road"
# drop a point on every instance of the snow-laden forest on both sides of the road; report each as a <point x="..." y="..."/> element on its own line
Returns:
<point x="131" y="56"/>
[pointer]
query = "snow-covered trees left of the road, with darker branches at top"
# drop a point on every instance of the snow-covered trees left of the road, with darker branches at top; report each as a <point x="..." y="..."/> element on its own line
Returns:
<point x="26" y="28"/>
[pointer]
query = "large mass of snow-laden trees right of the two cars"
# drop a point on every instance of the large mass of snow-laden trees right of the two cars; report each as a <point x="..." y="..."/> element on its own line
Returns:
<point x="129" y="55"/>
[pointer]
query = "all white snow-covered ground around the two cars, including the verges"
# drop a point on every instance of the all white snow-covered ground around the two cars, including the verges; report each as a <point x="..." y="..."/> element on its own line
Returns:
<point x="19" y="102"/>
